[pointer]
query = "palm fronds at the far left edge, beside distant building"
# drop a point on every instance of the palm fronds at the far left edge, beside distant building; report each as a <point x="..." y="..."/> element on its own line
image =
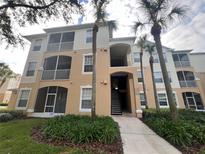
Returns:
<point x="5" y="72"/>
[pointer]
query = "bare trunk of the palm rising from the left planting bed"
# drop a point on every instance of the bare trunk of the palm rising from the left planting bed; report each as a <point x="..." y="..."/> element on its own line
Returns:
<point x="94" y="49"/>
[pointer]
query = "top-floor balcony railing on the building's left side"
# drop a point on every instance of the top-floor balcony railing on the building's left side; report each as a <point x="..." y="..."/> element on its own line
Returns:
<point x="60" y="46"/>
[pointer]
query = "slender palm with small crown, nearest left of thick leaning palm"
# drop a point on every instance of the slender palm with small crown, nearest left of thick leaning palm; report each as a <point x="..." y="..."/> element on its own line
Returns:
<point x="151" y="48"/>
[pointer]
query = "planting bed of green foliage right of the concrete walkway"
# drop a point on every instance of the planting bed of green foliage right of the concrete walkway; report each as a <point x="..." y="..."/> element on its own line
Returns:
<point x="187" y="133"/>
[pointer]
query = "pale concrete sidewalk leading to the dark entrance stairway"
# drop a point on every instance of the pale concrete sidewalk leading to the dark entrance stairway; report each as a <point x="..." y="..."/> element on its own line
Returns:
<point x="137" y="138"/>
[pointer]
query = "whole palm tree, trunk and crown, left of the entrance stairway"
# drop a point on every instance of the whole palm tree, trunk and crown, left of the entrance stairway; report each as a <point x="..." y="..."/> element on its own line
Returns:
<point x="100" y="15"/>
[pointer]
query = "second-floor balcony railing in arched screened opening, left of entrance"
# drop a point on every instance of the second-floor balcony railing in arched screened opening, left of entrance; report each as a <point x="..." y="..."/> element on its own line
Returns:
<point x="55" y="74"/>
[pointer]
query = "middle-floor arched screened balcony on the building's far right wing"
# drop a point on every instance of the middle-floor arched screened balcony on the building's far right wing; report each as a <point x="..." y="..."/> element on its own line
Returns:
<point x="186" y="79"/>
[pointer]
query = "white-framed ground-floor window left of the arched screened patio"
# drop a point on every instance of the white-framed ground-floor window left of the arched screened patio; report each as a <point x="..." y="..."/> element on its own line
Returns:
<point x="23" y="98"/>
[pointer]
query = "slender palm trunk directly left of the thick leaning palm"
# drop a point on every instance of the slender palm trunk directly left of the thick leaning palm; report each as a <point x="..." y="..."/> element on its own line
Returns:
<point x="154" y="85"/>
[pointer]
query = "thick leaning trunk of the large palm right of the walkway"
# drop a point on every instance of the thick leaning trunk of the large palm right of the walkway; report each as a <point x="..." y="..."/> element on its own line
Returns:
<point x="168" y="87"/>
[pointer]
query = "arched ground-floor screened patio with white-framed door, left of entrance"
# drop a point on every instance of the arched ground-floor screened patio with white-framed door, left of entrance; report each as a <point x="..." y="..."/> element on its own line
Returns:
<point x="51" y="99"/>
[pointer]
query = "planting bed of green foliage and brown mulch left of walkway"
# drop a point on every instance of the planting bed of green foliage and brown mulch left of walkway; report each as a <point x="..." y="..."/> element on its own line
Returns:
<point x="98" y="136"/>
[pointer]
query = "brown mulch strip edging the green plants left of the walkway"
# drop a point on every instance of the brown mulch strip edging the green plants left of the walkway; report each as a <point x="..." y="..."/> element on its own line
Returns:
<point x="95" y="147"/>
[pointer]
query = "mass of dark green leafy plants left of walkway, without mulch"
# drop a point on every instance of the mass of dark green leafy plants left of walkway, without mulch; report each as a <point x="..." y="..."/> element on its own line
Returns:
<point x="81" y="129"/>
